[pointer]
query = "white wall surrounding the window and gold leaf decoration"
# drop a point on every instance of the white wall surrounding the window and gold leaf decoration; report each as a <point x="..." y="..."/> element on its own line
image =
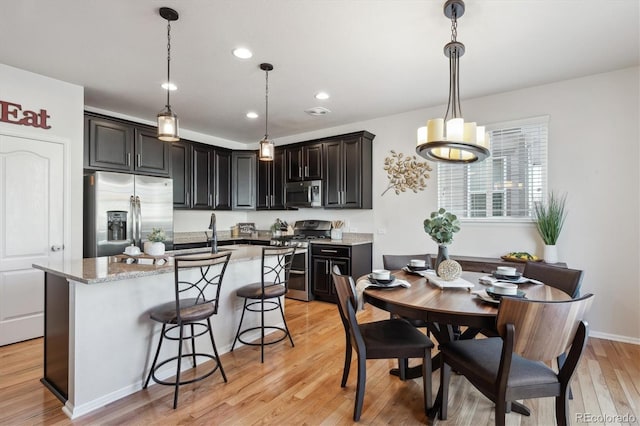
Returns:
<point x="593" y="157"/>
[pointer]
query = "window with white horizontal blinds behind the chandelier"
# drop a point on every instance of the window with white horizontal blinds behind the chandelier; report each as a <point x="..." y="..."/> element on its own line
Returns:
<point x="506" y="185"/>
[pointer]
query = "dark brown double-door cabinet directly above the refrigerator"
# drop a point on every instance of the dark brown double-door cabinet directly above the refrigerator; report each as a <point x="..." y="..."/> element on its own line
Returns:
<point x="118" y="145"/>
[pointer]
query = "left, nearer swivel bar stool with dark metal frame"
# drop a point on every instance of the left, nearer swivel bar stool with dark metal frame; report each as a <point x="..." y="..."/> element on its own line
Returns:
<point x="198" y="280"/>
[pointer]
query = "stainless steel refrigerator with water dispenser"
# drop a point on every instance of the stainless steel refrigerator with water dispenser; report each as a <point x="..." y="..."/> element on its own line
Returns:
<point x="121" y="209"/>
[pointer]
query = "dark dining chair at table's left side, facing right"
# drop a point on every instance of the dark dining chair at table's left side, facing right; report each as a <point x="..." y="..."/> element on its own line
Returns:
<point x="387" y="339"/>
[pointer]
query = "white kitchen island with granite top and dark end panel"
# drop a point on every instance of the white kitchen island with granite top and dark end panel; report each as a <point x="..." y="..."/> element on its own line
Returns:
<point x="99" y="341"/>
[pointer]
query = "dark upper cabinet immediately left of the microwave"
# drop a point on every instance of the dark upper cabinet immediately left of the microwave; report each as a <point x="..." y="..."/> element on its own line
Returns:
<point x="271" y="180"/>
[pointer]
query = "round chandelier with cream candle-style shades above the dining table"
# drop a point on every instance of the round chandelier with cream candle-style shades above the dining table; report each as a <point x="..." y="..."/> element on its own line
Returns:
<point x="450" y="139"/>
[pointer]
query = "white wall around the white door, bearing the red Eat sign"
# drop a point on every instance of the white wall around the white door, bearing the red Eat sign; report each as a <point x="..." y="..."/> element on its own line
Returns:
<point x="64" y="103"/>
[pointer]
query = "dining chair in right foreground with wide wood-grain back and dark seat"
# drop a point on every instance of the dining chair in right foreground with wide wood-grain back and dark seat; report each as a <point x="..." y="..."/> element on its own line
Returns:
<point x="511" y="367"/>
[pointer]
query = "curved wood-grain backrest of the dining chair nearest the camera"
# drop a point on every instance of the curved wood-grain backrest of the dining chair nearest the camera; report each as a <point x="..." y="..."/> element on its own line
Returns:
<point x="543" y="330"/>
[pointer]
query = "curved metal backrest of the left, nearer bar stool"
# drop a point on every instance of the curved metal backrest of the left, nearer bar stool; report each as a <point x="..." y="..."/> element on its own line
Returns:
<point x="205" y="278"/>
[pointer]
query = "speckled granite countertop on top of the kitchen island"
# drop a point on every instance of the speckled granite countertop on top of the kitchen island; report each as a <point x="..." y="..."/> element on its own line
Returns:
<point x="109" y="268"/>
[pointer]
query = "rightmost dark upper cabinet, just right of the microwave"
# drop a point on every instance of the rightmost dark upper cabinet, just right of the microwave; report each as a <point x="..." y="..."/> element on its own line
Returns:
<point x="348" y="171"/>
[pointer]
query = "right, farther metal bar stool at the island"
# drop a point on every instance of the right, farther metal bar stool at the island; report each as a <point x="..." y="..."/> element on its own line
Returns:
<point x="265" y="296"/>
